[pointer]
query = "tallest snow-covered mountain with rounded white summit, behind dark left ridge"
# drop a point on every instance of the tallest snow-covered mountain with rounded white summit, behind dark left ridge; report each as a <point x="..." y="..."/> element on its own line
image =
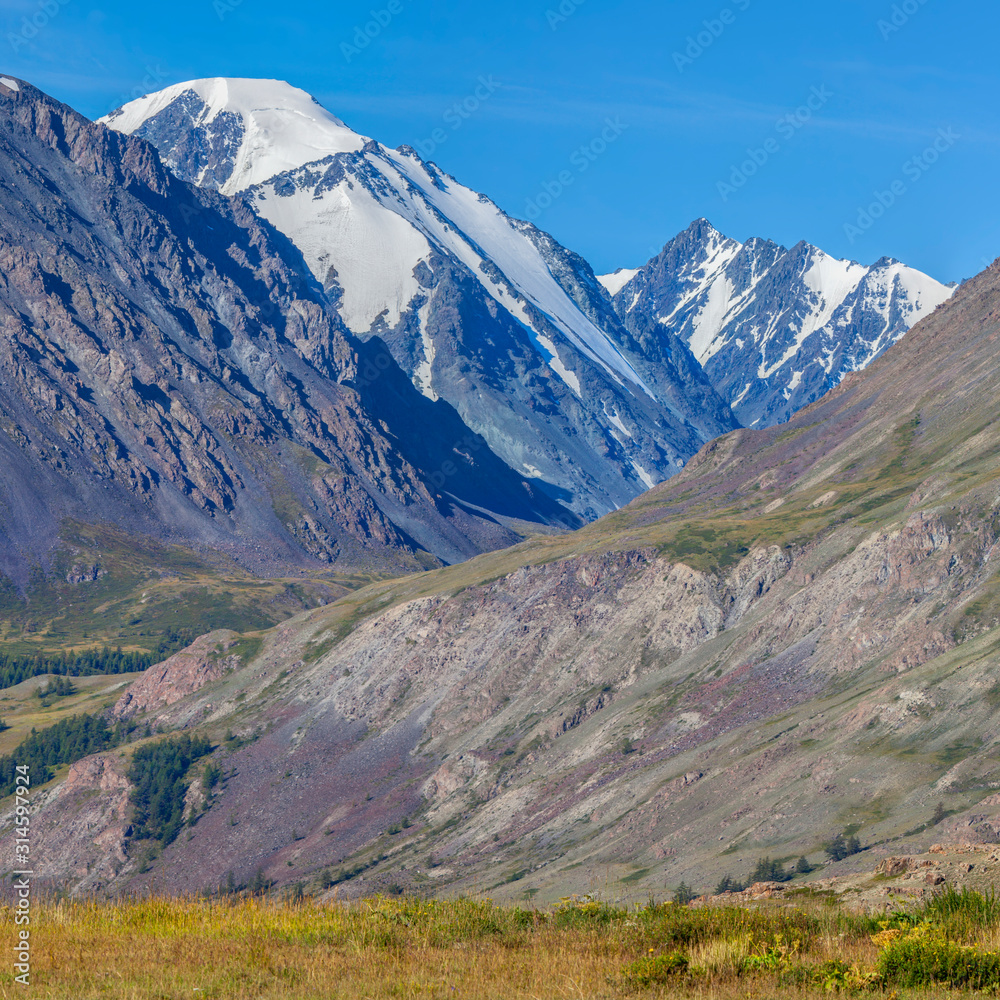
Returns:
<point x="481" y="310"/>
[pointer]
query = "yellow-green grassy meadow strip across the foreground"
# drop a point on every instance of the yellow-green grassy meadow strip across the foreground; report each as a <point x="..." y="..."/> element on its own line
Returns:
<point x="253" y="949"/>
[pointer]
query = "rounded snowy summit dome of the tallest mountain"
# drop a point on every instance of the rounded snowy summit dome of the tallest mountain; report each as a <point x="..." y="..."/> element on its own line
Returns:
<point x="250" y="129"/>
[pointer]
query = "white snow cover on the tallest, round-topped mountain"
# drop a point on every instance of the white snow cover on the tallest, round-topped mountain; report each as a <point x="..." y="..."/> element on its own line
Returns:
<point x="376" y="224"/>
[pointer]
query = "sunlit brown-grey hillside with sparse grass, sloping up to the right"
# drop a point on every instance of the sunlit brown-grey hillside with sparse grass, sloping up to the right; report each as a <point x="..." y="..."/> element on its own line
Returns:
<point x="797" y="635"/>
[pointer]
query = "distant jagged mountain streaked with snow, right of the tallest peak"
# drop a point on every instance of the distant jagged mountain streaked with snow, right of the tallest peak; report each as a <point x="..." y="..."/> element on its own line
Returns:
<point x="774" y="328"/>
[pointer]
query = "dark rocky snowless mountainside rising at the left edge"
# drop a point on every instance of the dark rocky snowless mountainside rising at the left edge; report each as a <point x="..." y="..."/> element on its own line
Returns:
<point x="169" y="369"/>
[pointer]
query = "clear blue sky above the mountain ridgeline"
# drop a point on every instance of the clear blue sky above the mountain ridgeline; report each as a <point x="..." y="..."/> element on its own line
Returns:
<point x="698" y="95"/>
